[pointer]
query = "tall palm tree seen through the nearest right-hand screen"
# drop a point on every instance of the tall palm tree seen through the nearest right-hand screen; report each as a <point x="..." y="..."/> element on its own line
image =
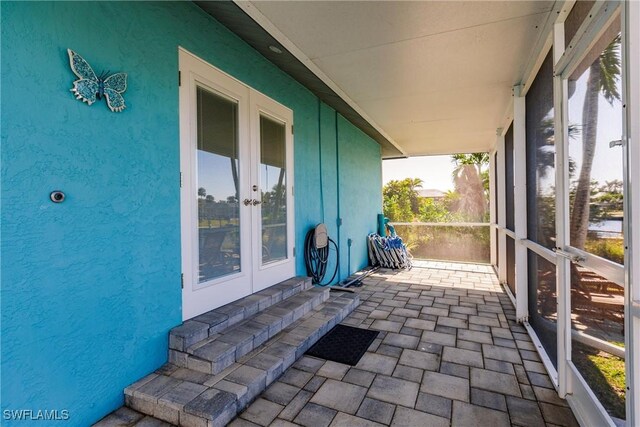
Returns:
<point x="604" y="75"/>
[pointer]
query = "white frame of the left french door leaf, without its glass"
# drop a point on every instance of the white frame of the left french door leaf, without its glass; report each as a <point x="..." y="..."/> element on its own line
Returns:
<point x="198" y="297"/>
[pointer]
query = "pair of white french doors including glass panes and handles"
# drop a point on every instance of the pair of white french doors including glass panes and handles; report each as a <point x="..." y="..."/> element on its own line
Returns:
<point x="236" y="188"/>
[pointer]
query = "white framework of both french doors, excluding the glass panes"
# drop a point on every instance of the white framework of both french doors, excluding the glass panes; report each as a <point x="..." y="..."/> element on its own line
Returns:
<point x="198" y="297"/>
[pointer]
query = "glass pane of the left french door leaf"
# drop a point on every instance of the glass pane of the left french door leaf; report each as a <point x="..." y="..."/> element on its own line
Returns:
<point x="217" y="184"/>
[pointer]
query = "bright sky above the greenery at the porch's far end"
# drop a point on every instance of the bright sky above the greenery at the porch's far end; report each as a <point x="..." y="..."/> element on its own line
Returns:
<point x="435" y="171"/>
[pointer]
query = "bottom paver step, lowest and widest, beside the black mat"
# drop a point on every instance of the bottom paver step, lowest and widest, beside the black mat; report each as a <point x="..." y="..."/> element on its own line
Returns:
<point x="166" y="395"/>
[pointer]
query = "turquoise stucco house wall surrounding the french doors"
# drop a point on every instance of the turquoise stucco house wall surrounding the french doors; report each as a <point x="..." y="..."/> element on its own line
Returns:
<point x="90" y="287"/>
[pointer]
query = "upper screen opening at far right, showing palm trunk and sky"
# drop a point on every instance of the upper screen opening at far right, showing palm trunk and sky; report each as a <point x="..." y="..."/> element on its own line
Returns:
<point x="595" y="173"/>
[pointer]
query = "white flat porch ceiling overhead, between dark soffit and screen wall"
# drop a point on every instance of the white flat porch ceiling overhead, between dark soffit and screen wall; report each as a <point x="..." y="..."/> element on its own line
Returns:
<point x="435" y="76"/>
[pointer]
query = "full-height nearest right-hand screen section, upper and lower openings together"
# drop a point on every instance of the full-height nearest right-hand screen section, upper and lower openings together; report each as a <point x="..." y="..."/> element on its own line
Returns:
<point x="596" y="217"/>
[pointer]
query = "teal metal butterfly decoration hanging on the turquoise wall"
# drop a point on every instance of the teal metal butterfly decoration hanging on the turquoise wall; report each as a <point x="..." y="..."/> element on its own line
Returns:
<point x="90" y="87"/>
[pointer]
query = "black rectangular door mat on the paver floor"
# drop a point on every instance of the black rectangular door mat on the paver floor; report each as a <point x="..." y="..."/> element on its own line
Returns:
<point x="343" y="344"/>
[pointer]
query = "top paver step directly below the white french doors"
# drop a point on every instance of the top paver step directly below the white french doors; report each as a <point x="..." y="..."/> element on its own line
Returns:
<point x="216" y="321"/>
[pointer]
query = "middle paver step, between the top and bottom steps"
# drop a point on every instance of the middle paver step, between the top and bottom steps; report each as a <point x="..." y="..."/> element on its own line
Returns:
<point x="218" y="352"/>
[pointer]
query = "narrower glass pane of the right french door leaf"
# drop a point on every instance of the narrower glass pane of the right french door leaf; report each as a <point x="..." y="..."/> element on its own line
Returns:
<point x="273" y="186"/>
